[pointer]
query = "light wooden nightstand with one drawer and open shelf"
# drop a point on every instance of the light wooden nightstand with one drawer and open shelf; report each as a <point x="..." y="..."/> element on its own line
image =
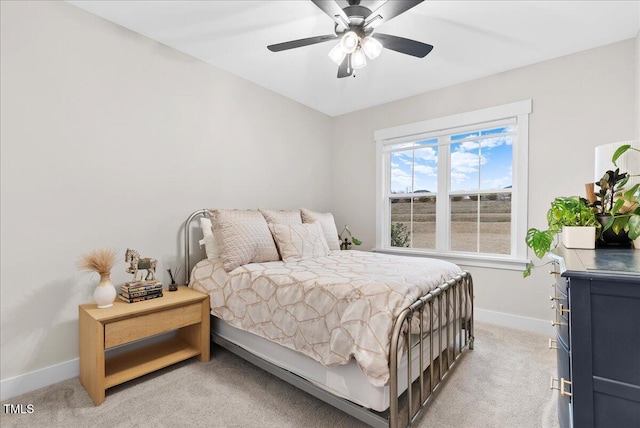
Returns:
<point x="185" y="310"/>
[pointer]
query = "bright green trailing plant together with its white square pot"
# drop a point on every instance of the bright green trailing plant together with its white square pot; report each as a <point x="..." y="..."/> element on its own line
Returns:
<point x="573" y="217"/>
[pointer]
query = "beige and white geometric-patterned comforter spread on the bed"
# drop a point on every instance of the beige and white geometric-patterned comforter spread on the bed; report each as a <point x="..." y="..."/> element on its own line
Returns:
<point x="331" y="308"/>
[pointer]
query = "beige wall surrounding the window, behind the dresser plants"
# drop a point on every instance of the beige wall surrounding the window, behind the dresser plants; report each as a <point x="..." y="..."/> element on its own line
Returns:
<point x="579" y="101"/>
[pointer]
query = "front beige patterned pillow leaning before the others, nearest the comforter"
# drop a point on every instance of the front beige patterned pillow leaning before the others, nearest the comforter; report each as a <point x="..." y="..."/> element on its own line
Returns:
<point x="299" y="241"/>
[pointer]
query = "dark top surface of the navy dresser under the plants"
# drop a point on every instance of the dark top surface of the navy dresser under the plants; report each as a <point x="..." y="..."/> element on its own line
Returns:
<point x="601" y="261"/>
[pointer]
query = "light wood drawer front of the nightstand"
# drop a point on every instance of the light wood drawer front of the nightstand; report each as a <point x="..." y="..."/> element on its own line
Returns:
<point x="128" y="330"/>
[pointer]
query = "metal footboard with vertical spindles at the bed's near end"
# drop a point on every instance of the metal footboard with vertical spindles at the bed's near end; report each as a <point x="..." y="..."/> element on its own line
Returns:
<point x="457" y="293"/>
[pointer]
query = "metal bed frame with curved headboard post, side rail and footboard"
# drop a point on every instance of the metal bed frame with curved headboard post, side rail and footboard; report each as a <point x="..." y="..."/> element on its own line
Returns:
<point x="404" y="410"/>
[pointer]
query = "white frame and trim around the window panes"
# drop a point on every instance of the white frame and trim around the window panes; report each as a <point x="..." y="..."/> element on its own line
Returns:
<point x="519" y="110"/>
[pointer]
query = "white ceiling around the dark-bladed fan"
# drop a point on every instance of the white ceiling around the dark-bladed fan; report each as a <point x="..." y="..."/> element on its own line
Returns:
<point x="471" y="39"/>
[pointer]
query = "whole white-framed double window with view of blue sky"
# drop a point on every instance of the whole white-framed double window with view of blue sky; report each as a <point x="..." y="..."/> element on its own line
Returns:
<point x="456" y="187"/>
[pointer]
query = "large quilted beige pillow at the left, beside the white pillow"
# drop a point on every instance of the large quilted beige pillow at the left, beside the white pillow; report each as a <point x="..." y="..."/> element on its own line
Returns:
<point x="243" y="237"/>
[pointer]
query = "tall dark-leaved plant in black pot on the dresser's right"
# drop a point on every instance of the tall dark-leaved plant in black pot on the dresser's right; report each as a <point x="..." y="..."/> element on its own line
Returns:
<point x="618" y="208"/>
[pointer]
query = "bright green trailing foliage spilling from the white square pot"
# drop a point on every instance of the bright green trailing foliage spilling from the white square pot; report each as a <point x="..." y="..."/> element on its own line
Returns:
<point x="564" y="211"/>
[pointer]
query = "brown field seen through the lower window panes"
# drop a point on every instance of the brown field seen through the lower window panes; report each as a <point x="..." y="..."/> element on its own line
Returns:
<point x="495" y="223"/>
